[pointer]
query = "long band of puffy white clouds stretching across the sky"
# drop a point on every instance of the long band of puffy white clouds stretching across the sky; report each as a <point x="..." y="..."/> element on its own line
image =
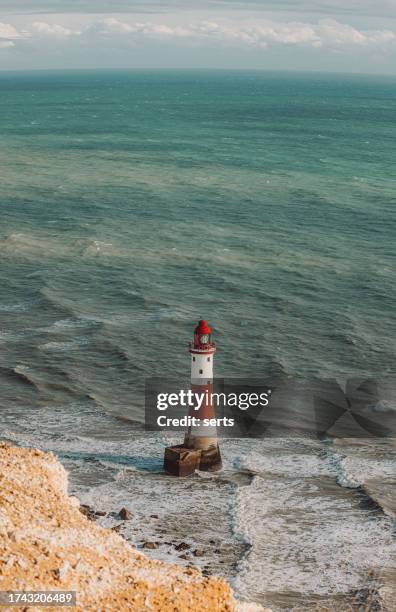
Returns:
<point x="326" y="33"/>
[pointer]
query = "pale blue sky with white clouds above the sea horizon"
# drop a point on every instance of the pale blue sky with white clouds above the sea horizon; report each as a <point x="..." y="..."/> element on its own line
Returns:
<point x="322" y="35"/>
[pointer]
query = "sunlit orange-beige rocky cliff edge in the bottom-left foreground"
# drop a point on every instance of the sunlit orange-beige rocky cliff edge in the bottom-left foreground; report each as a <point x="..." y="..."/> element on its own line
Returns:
<point x="48" y="541"/>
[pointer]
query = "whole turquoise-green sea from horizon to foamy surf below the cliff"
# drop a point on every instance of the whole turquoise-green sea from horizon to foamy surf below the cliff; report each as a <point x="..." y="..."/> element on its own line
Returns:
<point x="133" y="204"/>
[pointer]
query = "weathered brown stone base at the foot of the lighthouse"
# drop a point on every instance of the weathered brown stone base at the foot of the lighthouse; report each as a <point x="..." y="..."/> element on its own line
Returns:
<point x="182" y="461"/>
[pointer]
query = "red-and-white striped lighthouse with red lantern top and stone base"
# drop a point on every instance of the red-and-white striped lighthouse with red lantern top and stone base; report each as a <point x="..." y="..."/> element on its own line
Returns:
<point x="200" y="449"/>
